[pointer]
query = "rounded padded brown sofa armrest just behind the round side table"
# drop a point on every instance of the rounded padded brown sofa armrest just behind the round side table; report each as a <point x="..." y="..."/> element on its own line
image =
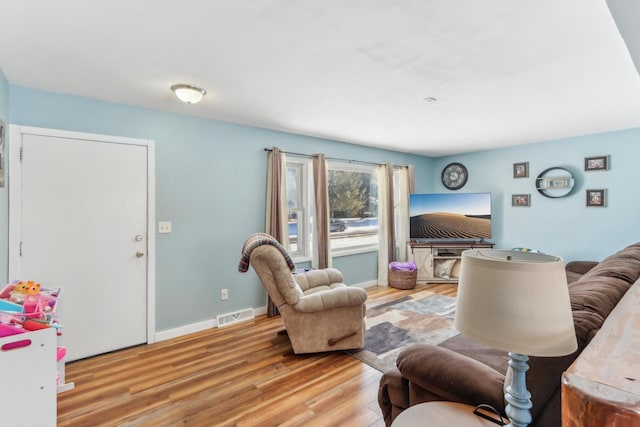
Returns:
<point x="452" y="376"/>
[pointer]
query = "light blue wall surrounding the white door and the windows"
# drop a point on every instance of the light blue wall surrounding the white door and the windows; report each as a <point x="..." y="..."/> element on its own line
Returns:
<point x="211" y="184"/>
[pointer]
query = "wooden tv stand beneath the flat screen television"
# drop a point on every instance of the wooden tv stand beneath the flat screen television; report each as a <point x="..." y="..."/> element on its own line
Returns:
<point x="438" y="260"/>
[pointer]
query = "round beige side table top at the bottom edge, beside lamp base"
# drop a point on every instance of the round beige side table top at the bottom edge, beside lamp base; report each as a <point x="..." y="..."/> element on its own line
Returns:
<point x="436" y="414"/>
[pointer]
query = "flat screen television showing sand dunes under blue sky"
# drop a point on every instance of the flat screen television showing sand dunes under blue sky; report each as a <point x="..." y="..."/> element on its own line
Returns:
<point x="463" y="216"/>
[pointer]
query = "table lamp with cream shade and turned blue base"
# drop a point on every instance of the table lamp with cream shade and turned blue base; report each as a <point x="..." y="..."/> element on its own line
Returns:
<point x="516" y="302"/>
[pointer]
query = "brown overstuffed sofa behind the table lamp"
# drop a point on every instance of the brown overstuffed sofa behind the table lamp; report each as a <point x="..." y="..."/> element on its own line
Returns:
<point x="460" y="370"/>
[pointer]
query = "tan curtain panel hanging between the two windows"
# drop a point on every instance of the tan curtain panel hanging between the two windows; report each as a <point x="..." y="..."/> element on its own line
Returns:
<point x="321" y="197"/>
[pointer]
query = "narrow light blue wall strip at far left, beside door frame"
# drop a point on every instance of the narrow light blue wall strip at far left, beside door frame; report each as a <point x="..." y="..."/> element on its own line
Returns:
<point x="4" y="192"/>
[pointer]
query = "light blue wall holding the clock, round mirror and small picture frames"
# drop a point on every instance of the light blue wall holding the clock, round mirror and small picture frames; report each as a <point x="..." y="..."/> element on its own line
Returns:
<point x="565" y="226"/>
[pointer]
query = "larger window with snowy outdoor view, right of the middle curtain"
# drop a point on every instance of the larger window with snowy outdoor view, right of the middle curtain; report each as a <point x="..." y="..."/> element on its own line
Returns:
<point x="353" y="208"/>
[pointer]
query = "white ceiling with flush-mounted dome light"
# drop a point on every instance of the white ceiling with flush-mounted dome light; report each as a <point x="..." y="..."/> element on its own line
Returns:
<point x="504" y="72"/>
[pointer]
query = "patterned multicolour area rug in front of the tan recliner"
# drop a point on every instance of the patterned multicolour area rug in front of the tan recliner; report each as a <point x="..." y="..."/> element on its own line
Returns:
<point x="424" y="317"/>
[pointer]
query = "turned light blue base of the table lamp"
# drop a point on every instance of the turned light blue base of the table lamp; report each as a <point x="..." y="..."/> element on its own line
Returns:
<point x="517" y="396"/>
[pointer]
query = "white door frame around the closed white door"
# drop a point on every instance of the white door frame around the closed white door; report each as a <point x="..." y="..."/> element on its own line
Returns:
<point x="15" y="204"/>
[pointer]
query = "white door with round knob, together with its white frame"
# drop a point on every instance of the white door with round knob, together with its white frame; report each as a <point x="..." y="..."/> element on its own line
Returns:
<point x="84" y="227"/>
